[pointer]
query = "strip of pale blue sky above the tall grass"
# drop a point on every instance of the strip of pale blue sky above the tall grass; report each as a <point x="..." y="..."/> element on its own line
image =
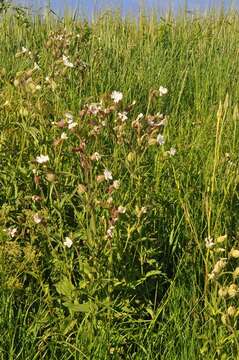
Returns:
<point x="128" y="5"/>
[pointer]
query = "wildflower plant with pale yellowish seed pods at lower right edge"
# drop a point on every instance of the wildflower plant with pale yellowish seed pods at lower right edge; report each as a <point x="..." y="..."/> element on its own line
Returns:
<point x="223" y="289"/>
